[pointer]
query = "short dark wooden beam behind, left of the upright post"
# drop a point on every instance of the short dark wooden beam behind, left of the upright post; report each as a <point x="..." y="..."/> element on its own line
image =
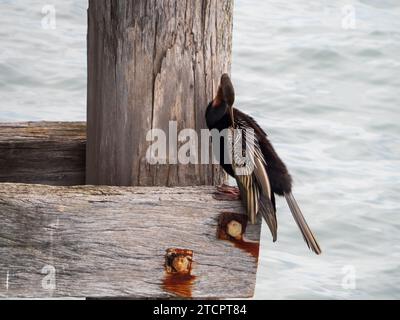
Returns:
<point x="43" y="152"/>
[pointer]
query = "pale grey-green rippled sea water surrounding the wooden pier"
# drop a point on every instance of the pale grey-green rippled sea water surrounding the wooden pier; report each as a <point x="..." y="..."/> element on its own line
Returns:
<point x="323" y="85"/>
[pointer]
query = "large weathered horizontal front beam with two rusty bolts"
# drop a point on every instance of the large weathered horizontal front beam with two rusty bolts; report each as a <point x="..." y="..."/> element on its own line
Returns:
<point x="111" y="242"/>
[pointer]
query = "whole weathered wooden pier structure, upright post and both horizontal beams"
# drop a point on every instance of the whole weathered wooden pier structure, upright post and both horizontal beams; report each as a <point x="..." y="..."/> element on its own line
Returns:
<point x="134" y="230"/>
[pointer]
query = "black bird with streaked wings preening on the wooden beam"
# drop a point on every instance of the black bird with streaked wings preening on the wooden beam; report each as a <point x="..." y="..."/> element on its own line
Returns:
<point x="270" y="175"/>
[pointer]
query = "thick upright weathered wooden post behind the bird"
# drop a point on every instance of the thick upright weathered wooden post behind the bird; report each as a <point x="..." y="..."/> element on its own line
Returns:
<point x="151" y="62"/>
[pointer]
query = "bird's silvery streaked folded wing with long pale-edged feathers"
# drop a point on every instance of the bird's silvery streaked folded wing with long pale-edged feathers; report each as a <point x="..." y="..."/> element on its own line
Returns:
<point x="253" y="179"/>
